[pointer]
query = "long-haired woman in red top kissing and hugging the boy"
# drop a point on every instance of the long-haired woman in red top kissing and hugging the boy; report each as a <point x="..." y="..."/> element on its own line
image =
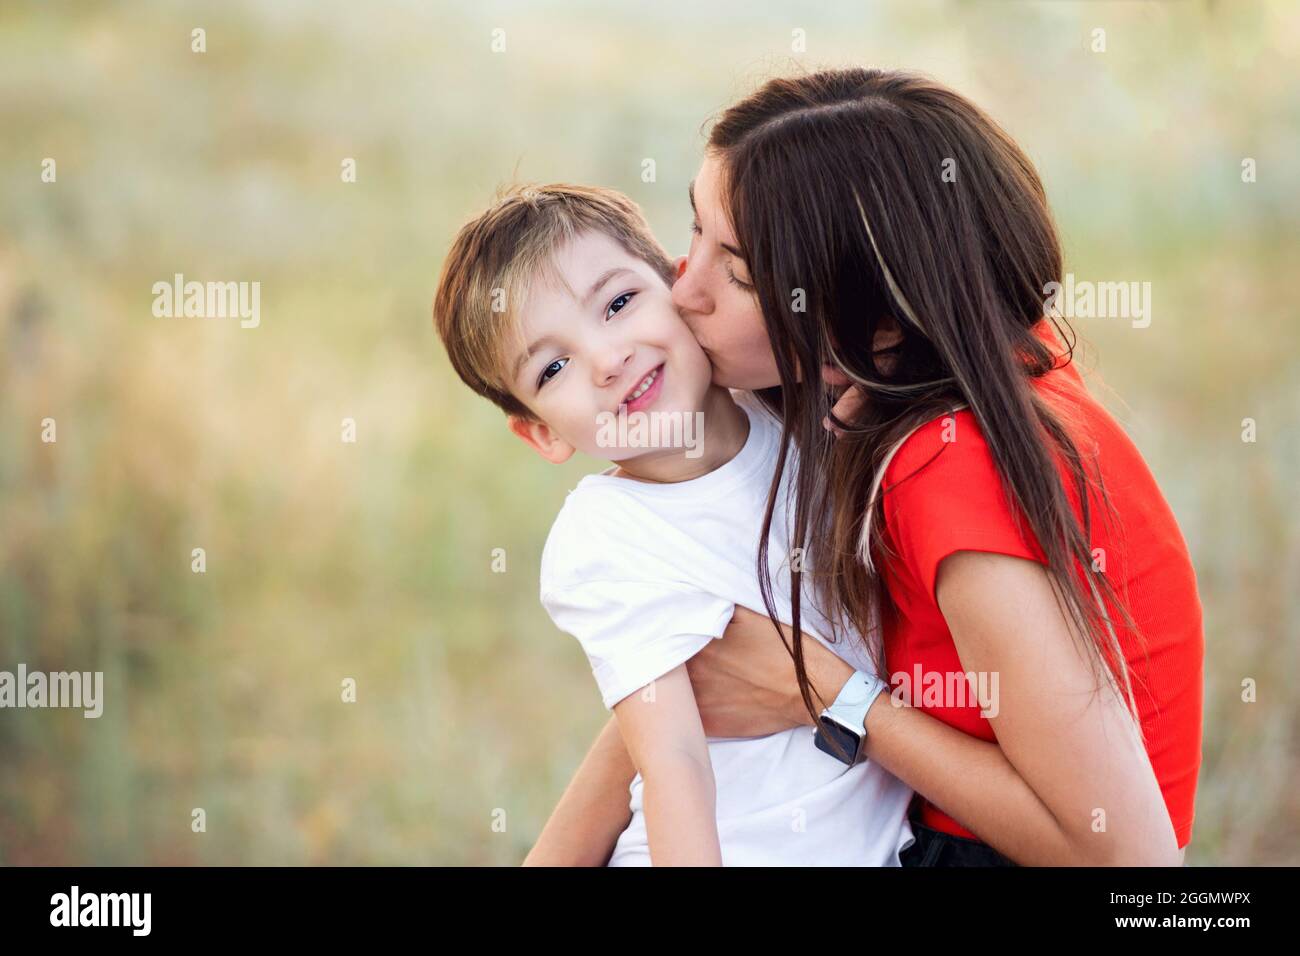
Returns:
<point x="956" y="483"/>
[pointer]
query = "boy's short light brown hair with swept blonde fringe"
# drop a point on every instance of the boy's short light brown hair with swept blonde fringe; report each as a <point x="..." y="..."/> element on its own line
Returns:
<point x="496" y="258"/>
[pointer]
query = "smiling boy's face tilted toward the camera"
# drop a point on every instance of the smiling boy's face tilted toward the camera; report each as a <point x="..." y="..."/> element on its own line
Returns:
<point x="592" y="348"/>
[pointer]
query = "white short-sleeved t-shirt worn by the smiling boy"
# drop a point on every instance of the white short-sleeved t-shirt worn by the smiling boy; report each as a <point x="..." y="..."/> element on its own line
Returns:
<point x="645" y="576"/>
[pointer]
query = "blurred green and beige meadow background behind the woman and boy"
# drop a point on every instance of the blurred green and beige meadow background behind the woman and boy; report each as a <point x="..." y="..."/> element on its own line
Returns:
<point x="372" y="560"/>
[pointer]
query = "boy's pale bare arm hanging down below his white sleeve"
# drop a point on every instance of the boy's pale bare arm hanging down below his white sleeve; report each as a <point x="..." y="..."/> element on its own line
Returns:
<point x="666" y="738"/>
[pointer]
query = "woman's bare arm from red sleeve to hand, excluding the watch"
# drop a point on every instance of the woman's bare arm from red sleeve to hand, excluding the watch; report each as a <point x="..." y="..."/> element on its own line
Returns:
<point x="1067" y="751"/>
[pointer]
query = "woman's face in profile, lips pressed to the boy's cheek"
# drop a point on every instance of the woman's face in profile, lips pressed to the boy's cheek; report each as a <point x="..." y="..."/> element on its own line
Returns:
<point x="714" y="295"/>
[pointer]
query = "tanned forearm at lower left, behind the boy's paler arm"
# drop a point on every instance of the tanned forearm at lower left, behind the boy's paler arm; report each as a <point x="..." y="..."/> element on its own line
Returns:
<point x="593" y="811"/>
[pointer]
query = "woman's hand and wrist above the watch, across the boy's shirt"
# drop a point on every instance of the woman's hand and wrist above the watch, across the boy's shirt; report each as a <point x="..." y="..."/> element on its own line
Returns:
<point x="746" y="684"/>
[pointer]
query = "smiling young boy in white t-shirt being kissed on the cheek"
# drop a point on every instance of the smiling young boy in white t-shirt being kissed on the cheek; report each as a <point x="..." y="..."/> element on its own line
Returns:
<point x="556" y="304"/>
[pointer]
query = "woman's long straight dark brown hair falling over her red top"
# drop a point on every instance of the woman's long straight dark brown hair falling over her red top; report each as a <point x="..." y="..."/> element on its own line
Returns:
<point x="891" y="201"/>
